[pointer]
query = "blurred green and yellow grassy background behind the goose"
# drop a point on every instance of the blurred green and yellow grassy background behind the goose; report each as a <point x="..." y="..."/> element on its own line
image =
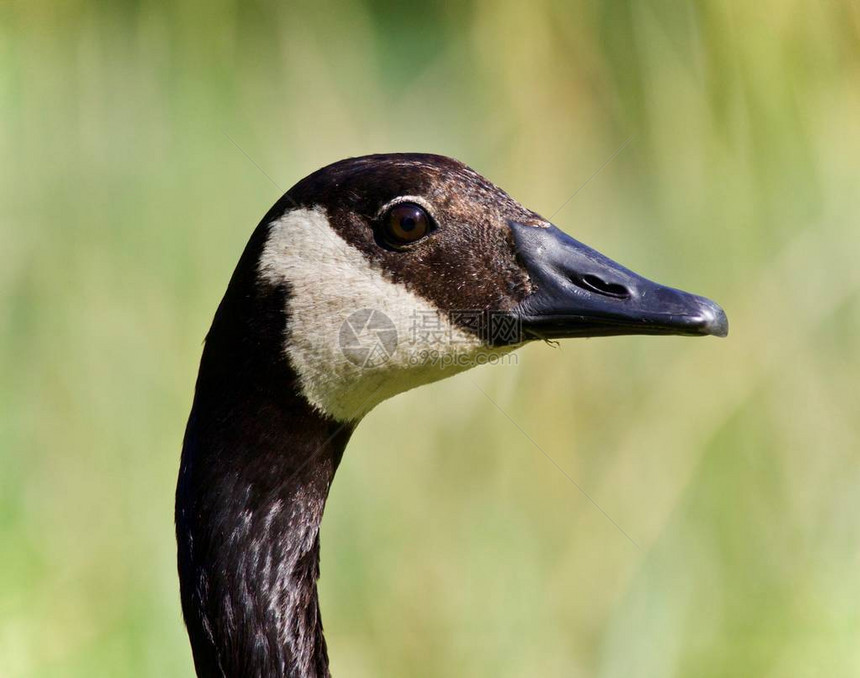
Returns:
<point x="135" y="140"/>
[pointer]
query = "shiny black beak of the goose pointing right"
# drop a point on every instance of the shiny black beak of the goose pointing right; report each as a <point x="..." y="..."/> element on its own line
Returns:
<point x="581" y="293"/>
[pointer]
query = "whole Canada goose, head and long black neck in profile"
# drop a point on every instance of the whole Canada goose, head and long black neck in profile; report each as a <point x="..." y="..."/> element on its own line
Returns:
<point x="317" y="327"/>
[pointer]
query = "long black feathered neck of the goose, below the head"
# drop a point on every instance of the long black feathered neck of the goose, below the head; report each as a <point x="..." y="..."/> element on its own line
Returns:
<point x="257" y="464"/>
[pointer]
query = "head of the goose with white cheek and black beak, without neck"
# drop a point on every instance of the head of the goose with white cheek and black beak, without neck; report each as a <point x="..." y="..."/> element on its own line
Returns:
<point x="402" y="269"/>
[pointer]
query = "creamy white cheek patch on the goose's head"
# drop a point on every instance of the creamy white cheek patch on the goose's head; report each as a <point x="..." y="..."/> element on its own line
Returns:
<point x="328" y="280"/>
